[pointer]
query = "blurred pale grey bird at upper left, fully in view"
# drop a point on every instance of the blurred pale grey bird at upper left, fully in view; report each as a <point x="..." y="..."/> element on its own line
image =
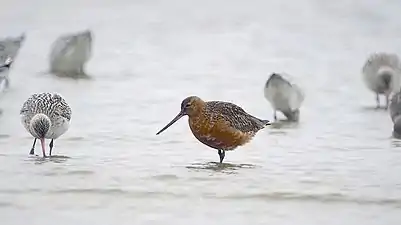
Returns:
<point x="70" y="53"/>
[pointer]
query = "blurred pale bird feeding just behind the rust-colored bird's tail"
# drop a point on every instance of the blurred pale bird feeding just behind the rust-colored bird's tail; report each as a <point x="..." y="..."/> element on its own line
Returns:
<point x="284" y="96"/>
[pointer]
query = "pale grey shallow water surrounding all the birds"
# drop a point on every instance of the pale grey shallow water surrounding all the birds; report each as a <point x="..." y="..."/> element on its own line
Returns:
<point x="338" y="166"/>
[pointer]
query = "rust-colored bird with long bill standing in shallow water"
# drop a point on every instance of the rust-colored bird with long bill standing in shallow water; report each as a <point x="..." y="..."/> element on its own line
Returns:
<point x="220" y="125"/>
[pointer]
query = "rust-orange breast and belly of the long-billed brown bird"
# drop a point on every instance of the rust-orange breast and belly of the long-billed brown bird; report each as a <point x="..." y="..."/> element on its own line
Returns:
<point x="215" y="132"/>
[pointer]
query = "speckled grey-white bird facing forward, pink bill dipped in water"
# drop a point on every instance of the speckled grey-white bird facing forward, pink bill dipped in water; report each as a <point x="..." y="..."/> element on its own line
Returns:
<point x="45" y="116"/>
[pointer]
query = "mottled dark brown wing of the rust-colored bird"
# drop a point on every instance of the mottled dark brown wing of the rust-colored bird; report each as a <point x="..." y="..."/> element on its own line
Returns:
<point x="236" y="116"/>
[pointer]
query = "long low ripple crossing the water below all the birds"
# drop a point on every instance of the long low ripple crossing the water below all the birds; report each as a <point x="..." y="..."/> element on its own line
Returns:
<point x="273" y="196"/>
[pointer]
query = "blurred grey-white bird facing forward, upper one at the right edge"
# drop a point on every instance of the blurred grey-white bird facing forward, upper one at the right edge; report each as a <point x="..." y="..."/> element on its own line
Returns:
<point x="381" y="73"/>
